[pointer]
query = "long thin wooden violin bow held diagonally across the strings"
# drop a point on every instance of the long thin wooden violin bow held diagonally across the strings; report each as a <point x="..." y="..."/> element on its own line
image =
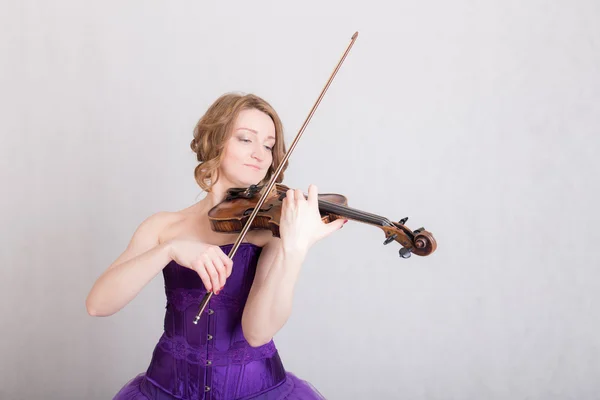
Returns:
<point x="266" y="192"/>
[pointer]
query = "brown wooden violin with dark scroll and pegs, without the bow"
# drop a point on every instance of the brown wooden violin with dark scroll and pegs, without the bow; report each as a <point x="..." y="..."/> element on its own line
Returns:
<point x="232" y="214"/>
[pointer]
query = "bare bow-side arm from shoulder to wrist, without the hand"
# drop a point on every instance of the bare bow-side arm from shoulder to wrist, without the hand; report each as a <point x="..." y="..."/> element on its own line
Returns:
<point x="143" y="259"/>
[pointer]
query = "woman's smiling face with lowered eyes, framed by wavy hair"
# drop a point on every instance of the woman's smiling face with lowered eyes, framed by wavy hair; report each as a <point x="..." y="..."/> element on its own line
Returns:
<point x="248" y="152"/>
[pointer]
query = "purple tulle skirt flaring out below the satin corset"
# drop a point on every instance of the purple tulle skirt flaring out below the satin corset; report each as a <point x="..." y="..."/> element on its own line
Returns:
<point x="292" y="388"/>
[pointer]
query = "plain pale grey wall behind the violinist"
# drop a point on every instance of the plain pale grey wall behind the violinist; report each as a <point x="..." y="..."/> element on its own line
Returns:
<point x="478" y="120"/>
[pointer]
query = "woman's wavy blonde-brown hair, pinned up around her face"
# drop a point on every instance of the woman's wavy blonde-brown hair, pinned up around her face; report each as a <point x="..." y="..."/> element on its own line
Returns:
<point x="214" y="129"/>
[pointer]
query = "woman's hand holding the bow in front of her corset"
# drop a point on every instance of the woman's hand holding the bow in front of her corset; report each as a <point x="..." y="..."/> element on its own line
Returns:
<point x="209" y="261"/>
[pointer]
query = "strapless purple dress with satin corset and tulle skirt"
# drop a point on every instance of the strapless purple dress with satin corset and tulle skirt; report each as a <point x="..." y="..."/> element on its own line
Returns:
<point x="212" y="360"/>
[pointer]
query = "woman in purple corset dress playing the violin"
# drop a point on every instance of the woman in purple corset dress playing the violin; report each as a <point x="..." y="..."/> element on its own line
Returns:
<point x="230" y="353"/>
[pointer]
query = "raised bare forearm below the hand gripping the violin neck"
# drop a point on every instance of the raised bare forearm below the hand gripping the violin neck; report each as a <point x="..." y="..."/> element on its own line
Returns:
<point x="270" y="304"/>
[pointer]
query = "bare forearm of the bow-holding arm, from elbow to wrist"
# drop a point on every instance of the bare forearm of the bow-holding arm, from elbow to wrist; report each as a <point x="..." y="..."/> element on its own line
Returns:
<point x="118" y="285"/>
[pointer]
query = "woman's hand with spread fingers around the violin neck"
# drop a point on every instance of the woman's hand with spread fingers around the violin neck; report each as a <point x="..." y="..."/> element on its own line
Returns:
<point x="300" y="224"/>
